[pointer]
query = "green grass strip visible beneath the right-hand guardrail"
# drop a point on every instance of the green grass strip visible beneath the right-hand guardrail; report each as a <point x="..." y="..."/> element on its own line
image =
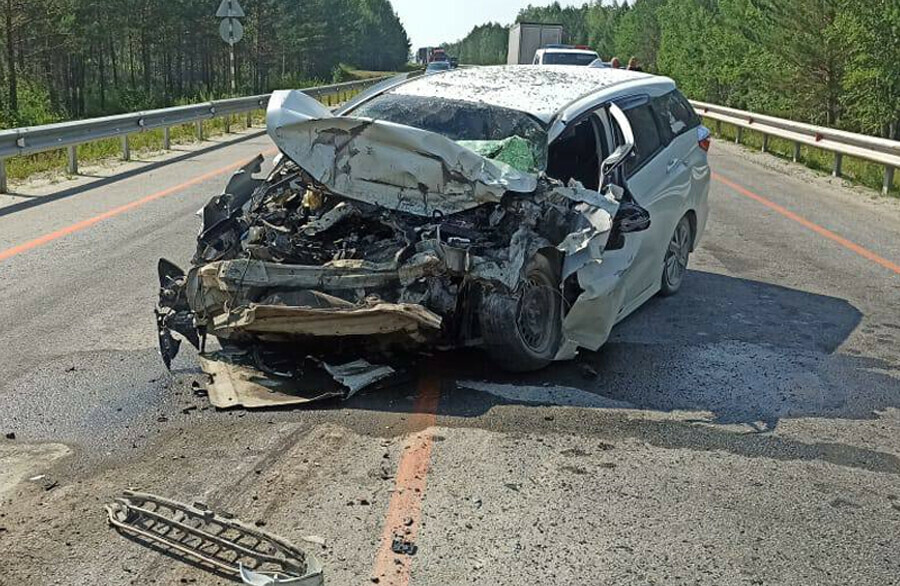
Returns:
<point x="853" y="169"/>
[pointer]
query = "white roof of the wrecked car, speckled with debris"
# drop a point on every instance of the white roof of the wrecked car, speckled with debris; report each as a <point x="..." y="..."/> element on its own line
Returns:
<point x="540" y="90"/>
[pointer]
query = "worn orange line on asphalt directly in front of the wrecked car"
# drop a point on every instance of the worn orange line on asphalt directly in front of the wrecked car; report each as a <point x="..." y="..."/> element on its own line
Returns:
<point x="405" y="509"/>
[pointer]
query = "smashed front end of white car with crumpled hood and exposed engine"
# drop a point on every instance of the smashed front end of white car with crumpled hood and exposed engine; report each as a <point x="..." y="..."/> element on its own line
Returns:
<point x="371" y="238"/>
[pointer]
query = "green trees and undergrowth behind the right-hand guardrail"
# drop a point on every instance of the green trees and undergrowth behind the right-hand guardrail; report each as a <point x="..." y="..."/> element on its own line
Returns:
<point x="829" y="62"/>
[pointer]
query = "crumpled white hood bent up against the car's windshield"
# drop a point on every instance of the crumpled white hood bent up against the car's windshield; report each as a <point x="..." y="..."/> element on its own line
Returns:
<point x="387" y="164"/>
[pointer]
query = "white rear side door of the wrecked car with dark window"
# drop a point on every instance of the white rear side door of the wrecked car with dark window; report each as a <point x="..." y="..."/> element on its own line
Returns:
<point x="659" y="180"/>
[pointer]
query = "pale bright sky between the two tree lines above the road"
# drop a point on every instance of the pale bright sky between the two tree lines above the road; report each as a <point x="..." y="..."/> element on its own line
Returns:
<point x="432" y="22"/>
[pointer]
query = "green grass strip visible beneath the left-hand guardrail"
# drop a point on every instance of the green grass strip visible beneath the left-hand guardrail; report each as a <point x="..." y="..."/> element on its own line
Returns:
<point x="140" y="143"/>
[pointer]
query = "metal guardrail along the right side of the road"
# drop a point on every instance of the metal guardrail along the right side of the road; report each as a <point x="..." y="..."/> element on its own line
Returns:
<point x="869" y="148"/>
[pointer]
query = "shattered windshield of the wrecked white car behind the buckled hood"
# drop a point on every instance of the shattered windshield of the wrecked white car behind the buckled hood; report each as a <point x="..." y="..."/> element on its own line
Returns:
<point x="506" y="135"/>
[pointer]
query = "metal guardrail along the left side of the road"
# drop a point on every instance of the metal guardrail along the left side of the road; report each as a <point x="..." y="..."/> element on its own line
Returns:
<point x="19" y="142"/>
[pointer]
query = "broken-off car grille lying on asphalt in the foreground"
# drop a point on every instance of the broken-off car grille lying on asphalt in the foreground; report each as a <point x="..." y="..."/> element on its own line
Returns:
<point x="218" y="541"/>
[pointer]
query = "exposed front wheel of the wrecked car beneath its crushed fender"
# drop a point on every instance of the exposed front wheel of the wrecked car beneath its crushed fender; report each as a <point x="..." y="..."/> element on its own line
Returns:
<point x="522" y="331"/>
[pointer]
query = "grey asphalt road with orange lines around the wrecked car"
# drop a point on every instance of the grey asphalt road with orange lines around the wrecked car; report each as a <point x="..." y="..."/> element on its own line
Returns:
<point x="742" y="432"/>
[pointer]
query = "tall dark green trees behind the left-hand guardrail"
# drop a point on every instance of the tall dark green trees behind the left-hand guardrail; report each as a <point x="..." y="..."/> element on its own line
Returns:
<point x="70" y="59"/>
